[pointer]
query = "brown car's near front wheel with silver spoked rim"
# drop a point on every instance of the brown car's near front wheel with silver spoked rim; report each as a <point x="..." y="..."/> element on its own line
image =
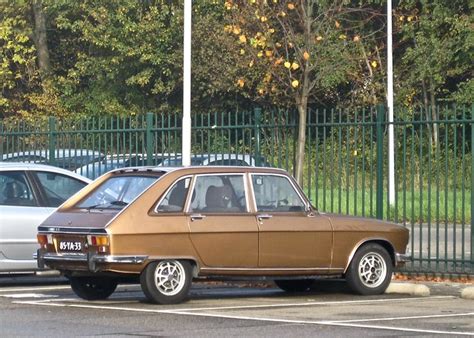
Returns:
<point x="370" y="270"/>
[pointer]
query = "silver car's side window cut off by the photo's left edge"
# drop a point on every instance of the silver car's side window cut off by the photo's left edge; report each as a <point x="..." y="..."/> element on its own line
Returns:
<point x="15" y="190"/>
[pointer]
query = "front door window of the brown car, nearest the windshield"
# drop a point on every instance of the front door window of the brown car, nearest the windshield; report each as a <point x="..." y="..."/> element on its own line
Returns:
<point x="276" y="193"/>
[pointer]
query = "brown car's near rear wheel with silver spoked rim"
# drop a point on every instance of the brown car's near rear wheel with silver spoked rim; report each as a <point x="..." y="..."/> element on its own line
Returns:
<point x="166" y="282"/>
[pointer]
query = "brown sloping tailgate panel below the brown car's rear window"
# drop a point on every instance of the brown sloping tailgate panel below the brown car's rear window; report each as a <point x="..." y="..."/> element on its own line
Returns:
<point x="80" y="219"/>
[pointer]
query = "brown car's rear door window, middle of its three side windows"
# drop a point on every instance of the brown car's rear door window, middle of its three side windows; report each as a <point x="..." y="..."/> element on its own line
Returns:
<point x="219" y="194"/>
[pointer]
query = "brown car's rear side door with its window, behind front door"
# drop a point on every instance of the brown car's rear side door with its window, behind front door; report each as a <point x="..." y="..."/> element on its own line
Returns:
<point x="222" y="229"/>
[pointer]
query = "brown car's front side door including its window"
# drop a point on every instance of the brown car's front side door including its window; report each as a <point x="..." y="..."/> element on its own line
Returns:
<point x="289" y="235"/>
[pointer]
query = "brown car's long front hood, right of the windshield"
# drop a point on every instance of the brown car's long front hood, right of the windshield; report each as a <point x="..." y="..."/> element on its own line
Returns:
<point x="355" y="223"/>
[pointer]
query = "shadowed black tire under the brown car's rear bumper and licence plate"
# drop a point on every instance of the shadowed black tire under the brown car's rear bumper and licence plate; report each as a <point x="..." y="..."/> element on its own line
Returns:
<point x="93" y="288"/>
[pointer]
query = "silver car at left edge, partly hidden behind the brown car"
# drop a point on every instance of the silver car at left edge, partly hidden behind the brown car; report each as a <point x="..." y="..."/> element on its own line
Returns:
<point x="29" y="193"/>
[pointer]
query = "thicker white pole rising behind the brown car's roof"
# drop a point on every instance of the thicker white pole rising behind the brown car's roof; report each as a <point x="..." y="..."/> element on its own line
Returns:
<point x="186" y="129"/>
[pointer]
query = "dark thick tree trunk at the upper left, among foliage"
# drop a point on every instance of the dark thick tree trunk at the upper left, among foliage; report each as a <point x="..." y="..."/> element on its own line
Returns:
<point x="40" y="38"/>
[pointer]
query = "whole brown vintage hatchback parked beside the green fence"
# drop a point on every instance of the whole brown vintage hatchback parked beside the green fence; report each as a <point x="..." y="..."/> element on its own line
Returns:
<point x="165" y="227"/>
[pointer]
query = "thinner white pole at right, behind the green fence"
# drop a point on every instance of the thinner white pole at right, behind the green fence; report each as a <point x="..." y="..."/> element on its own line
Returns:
<point x="391" y="150"/>
